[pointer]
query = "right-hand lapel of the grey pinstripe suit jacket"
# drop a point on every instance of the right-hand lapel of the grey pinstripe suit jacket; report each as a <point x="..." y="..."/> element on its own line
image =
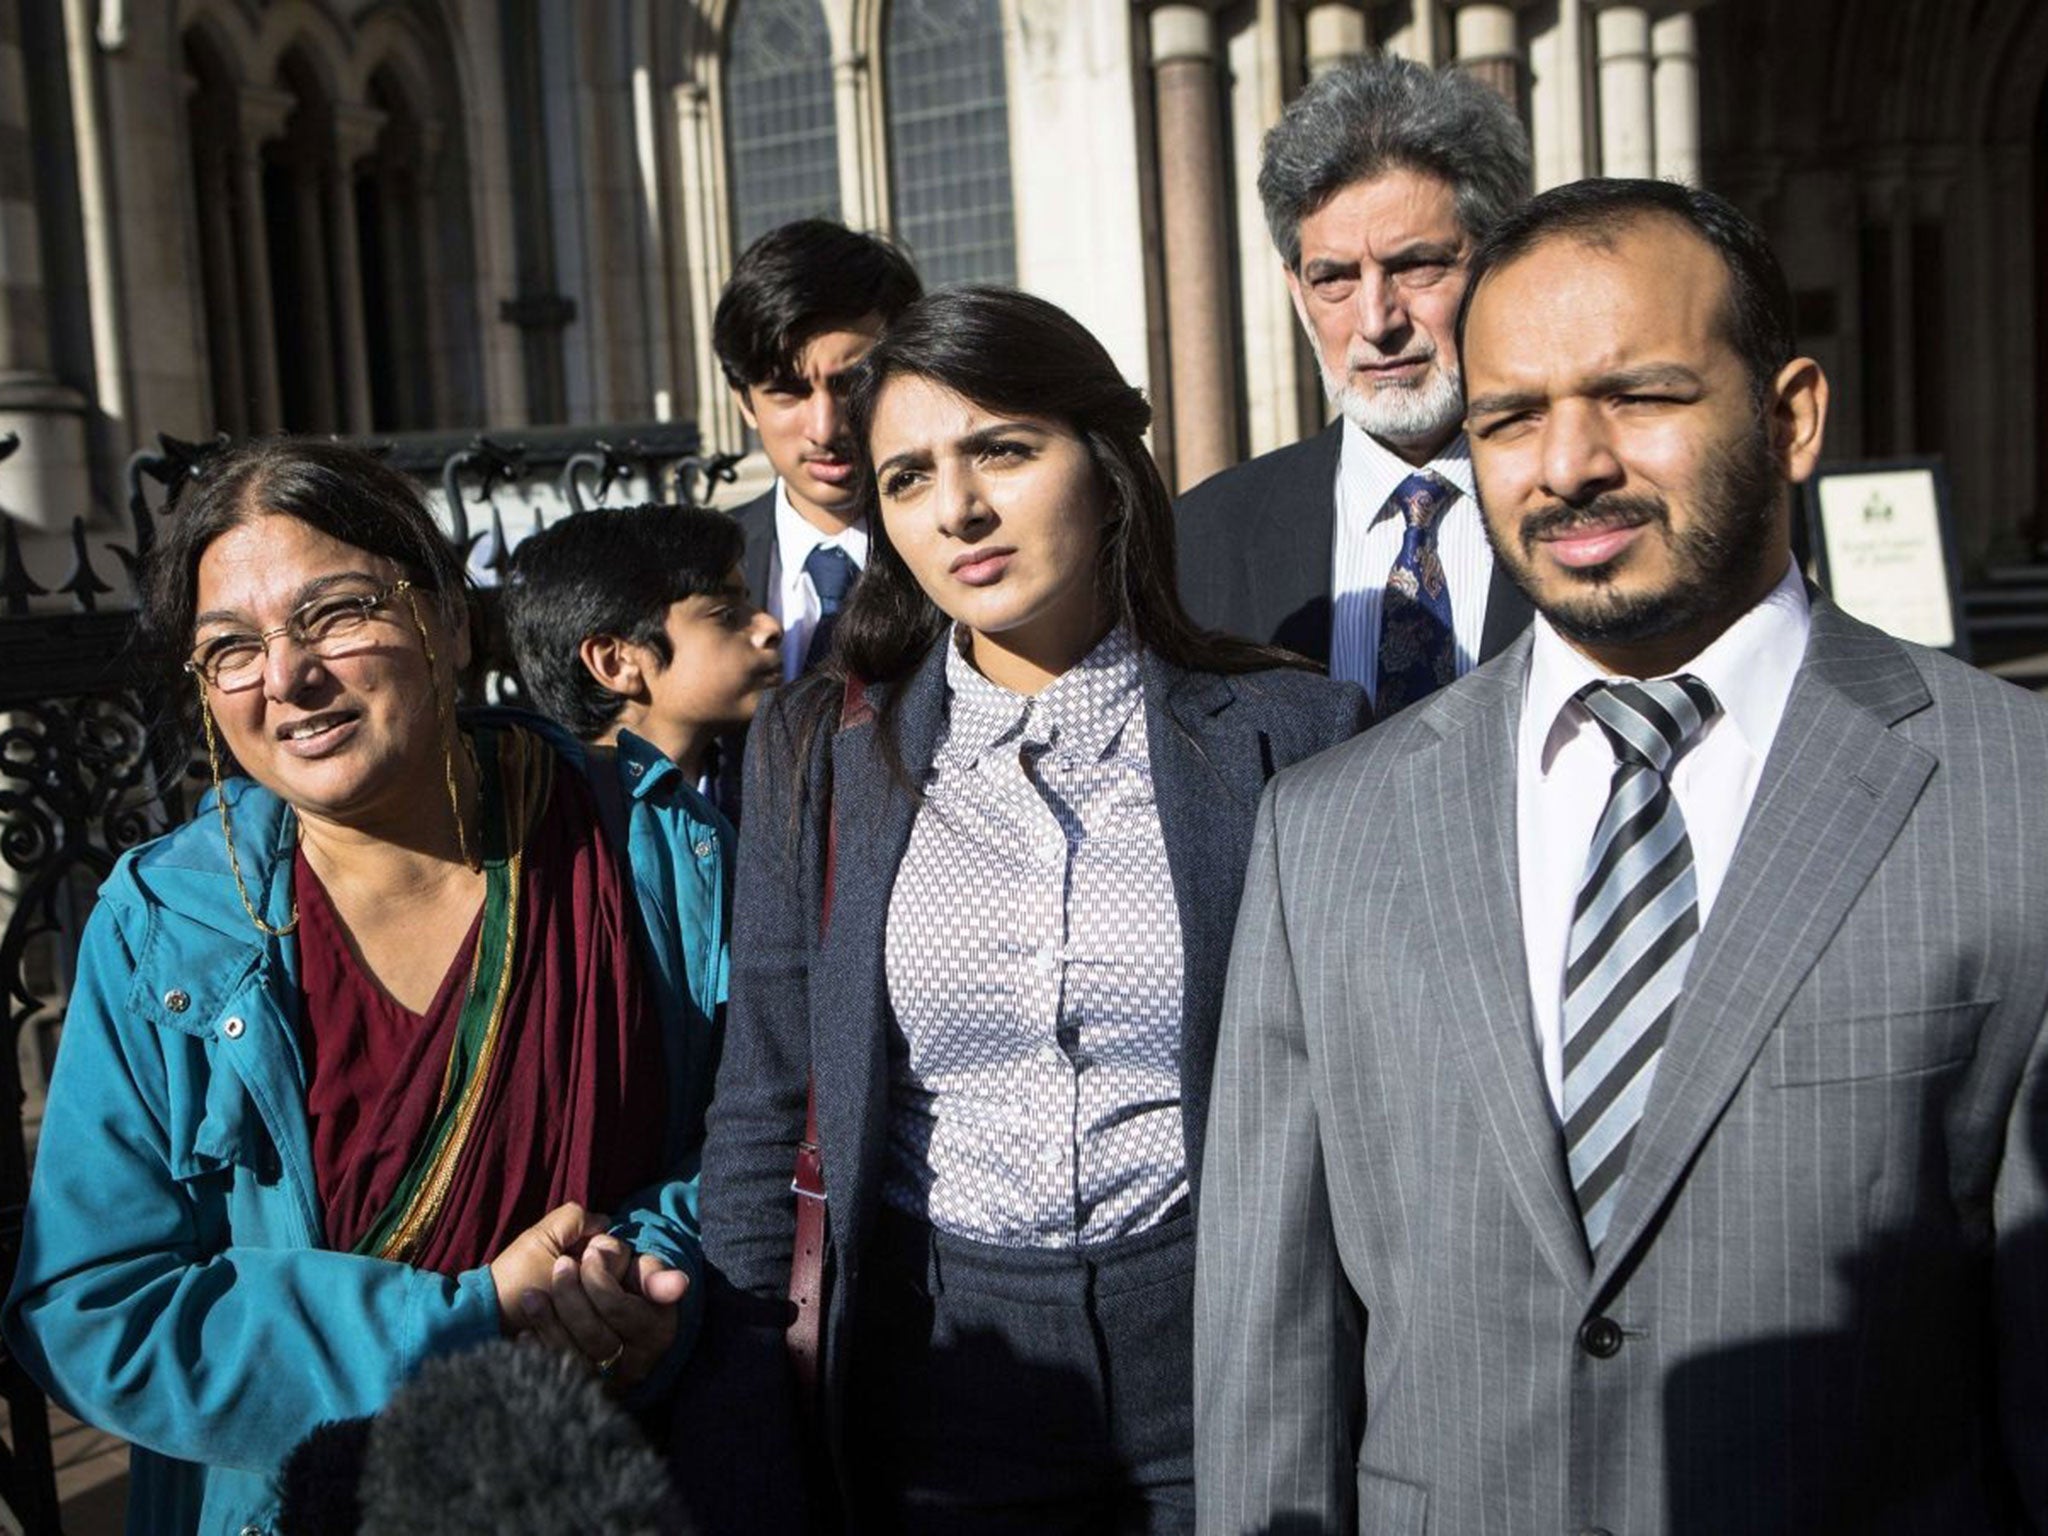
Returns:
<point x="1836" y="792"/>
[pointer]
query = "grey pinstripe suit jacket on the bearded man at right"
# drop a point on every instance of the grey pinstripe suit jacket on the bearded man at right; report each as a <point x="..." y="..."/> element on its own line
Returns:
<point x="1824" y="1302"/>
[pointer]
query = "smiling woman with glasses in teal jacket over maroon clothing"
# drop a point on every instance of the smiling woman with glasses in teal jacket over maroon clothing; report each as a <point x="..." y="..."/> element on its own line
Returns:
<point x="359" y="1058"/>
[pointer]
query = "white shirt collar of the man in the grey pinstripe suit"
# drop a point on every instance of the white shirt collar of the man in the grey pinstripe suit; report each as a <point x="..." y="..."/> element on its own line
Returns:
<point x="1750" y="667"/>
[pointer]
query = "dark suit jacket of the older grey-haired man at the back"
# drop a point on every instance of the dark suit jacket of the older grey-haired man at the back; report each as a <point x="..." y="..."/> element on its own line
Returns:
<point x="1256" y="550"/>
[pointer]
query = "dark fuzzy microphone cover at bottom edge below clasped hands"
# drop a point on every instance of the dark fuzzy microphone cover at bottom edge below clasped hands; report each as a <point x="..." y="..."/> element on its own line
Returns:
<point x="505" y="1441"/>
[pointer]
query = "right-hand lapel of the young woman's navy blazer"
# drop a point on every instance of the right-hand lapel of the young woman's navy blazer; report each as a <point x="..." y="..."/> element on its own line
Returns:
<point x="1207" y="779"/>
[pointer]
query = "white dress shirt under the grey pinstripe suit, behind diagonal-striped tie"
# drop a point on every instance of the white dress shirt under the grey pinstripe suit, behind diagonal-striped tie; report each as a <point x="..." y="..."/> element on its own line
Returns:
<point x="1566" y="765"/>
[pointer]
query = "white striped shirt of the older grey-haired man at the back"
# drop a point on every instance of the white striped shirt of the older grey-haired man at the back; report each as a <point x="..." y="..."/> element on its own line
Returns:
<point x="1369" y="544"/>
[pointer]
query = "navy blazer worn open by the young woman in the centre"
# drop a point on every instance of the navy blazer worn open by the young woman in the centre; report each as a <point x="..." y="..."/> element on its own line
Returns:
<point x="802" y="1007"/>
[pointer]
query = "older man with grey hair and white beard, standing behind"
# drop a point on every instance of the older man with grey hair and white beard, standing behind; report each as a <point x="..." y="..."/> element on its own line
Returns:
<point x="1363" y="548"/>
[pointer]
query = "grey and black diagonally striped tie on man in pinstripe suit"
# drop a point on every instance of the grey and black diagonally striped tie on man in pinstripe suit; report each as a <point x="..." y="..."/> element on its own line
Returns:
<point x="1633" y="931"/>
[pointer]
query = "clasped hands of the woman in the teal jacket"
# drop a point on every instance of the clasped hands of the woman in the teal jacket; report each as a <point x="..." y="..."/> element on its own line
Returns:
<point x="577" y="1289"/>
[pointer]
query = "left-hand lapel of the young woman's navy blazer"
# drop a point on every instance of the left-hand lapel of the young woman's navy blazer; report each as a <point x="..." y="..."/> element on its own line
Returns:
<point x="849" y="988"/>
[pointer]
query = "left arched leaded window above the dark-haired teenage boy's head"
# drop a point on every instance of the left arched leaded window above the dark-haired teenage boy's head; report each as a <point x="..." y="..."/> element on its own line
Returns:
<point x="785" y="153"/>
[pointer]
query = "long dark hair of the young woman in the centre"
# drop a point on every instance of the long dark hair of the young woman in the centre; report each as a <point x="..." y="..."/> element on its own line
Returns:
<point x="1017" y="355"/>
